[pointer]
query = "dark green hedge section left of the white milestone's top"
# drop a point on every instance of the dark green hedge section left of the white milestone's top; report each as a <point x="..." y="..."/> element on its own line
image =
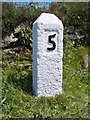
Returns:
<point x="13" y="15"/>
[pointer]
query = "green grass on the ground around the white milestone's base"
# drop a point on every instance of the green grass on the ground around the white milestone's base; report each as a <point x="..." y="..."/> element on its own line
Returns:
<point x="17" y="90"/>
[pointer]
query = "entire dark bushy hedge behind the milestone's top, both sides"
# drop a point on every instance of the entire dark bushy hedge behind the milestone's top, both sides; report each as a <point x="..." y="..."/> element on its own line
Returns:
<point x="72" y="14"/>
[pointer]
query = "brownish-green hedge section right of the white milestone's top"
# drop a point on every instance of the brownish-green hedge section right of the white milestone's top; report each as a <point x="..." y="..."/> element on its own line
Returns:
<point x="74" y="14"/>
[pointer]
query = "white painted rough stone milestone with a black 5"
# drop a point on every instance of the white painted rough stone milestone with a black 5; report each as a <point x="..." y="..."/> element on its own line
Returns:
<point x="47" y="55"/>
